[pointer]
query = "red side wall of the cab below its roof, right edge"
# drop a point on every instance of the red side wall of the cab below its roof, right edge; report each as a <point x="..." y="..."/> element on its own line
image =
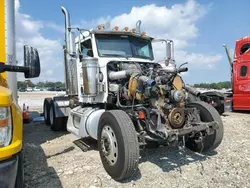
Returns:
<point x="241" y="98"/>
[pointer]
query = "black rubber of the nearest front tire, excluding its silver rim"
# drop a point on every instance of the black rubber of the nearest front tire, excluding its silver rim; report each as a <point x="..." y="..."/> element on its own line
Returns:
<point x="127" y="142"/>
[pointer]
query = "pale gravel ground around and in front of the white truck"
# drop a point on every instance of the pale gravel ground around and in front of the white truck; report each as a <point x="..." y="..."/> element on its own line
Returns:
<point x="55" y="160"/>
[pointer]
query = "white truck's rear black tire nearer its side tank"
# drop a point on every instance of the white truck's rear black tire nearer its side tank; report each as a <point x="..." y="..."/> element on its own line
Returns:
<point x="56" y="123"/>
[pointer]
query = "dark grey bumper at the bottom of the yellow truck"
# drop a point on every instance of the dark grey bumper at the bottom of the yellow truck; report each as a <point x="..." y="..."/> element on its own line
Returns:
<point x="8" y="172"/>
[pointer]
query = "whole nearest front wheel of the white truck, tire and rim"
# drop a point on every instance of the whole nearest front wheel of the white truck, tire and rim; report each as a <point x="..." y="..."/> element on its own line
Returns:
<point x="118" y="144"/>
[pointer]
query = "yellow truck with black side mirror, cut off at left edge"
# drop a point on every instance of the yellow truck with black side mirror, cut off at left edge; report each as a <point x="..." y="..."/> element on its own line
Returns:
<point x="11" y="123"/>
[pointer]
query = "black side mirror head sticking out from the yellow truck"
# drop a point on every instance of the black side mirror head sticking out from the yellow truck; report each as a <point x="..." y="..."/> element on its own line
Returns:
<point x="31" y="62"/>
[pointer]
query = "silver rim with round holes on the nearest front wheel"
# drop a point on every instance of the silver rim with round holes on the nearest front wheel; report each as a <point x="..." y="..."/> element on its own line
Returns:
<point x="109" y="145"/>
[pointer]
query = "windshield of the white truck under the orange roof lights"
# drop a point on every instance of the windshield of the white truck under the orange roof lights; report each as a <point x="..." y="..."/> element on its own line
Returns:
<point x="123" y="46"/>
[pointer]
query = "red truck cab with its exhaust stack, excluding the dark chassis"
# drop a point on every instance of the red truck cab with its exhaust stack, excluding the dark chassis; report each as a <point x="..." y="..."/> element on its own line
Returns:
<point x="240" y="74"/>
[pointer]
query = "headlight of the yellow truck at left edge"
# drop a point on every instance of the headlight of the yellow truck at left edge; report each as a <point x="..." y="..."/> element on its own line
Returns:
<point x="5" y="126"/>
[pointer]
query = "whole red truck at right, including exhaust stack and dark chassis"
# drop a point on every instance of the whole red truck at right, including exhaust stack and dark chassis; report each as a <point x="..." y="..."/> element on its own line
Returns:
<point x="238" y="98"/>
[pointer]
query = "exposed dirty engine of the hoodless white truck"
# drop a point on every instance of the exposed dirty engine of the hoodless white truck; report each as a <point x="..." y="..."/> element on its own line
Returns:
<point x="149" y="89"/>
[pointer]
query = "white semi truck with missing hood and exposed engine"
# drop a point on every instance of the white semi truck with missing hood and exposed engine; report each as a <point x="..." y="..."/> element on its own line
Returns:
<point x="120" y="96"/>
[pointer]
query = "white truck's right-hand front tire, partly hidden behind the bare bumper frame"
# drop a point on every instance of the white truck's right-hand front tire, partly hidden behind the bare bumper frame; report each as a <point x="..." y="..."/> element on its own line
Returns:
<point x="207" y="114"/>
